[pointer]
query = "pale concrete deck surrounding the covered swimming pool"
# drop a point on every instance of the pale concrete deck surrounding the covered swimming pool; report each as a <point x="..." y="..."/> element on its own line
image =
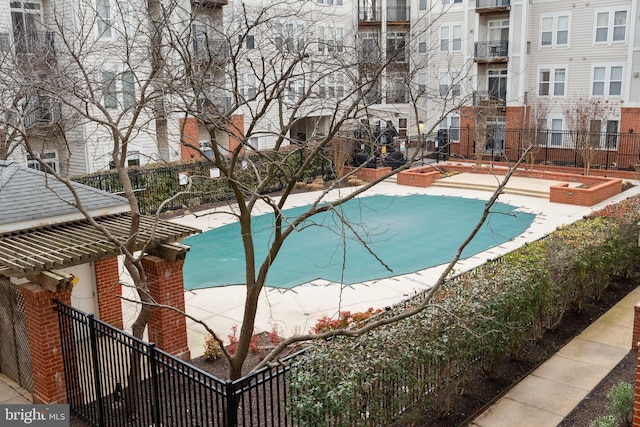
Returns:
<point x="296" y="310"/>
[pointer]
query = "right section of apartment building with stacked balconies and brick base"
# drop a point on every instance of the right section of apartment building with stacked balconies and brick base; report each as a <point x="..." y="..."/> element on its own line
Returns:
<point x="485" y="62"/>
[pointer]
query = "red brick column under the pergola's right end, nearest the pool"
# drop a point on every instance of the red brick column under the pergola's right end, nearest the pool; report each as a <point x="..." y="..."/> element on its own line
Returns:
<point x="167" y="328"/>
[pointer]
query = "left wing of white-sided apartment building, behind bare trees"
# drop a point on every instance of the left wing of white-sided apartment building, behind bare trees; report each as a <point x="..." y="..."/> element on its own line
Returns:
<point x="81" y="77"/>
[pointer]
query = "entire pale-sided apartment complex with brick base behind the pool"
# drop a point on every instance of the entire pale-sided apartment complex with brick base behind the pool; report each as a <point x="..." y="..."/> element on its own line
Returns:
<point x="268" y="74"/>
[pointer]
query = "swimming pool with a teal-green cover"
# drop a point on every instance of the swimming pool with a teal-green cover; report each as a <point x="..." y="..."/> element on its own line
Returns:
<point x="408" y="233"/>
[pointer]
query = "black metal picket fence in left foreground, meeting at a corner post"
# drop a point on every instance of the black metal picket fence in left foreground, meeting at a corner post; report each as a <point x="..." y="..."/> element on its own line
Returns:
<point x="115" y="379"/>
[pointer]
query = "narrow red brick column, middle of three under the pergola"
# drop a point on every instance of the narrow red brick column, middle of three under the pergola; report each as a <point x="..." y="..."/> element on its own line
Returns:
<point x="109" y="291"/>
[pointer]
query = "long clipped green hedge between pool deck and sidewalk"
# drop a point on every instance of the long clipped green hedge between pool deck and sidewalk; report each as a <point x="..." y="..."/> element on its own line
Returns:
<point x="475" y="319"/>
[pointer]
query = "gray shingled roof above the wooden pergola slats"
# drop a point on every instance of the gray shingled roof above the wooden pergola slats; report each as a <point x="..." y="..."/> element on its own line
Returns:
<point x="30" y="196"/>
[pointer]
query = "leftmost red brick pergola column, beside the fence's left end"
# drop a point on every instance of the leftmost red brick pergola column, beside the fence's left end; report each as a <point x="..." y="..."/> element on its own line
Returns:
<point x="44" y="343"/>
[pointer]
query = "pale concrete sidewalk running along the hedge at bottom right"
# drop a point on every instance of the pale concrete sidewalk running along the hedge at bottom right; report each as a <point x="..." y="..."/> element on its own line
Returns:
<point x="549" y="394"/>
